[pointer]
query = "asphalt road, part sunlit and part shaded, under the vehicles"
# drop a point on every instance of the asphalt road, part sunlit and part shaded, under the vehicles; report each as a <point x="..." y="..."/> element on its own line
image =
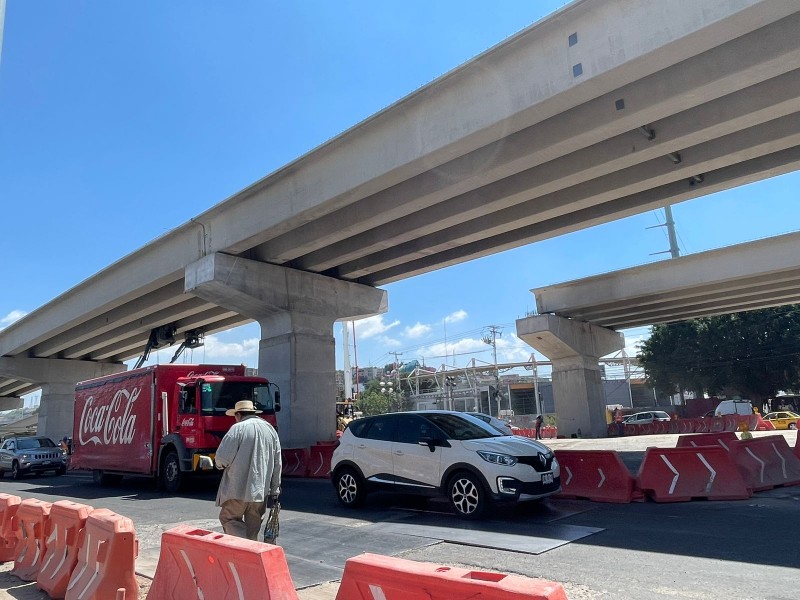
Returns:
<point x="745" y="549"/>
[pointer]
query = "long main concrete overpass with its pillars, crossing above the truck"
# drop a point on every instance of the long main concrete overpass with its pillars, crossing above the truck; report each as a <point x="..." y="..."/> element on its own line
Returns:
<point x="603" y="110"/>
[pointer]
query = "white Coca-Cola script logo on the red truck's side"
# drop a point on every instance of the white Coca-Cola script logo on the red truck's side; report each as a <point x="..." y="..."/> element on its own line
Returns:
<point x="111" y="423"/>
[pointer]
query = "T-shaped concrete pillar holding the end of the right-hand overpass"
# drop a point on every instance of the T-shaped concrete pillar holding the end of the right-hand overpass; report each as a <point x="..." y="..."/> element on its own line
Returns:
<point x="574" y="348"/>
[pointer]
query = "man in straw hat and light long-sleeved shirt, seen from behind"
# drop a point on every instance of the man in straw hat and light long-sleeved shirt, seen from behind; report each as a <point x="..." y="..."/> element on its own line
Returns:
<point x="250" y="454"/>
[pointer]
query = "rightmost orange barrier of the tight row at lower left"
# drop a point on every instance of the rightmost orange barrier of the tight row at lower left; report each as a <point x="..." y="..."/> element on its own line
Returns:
<point x="106" y="558"/>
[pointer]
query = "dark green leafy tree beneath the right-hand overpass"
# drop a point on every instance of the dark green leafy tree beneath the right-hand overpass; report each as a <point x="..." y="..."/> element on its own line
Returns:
<point x="754" y="354"/>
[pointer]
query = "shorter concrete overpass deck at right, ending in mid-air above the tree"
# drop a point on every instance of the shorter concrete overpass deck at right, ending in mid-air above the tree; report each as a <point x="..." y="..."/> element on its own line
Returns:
<point x="744" y="276"/>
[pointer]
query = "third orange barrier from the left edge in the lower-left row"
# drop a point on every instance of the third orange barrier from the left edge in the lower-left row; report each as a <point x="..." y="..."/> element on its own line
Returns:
<point x="67" y="519"/>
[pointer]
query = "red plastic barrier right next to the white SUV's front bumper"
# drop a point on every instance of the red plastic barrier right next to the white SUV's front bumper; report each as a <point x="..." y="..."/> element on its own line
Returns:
<point x="598" y="475"/>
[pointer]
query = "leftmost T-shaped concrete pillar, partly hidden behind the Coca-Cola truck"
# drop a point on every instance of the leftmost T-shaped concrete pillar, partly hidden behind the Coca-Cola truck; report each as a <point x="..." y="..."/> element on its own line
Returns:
<point x="58" y="379"/>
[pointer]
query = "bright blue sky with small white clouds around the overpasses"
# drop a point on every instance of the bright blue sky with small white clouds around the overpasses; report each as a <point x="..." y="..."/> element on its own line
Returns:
<point x="121" y="120"/>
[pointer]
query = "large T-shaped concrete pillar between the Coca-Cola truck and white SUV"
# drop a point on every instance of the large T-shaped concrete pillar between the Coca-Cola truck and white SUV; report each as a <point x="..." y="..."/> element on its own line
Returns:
<point x="296" y="311"/>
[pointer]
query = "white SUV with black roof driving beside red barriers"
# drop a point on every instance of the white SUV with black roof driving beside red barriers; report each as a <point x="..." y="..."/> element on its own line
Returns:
<point x="443" y="453"/>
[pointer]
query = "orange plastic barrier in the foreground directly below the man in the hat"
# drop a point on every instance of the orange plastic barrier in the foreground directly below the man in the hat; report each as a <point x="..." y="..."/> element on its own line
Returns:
<point x="195" y="563"/>
